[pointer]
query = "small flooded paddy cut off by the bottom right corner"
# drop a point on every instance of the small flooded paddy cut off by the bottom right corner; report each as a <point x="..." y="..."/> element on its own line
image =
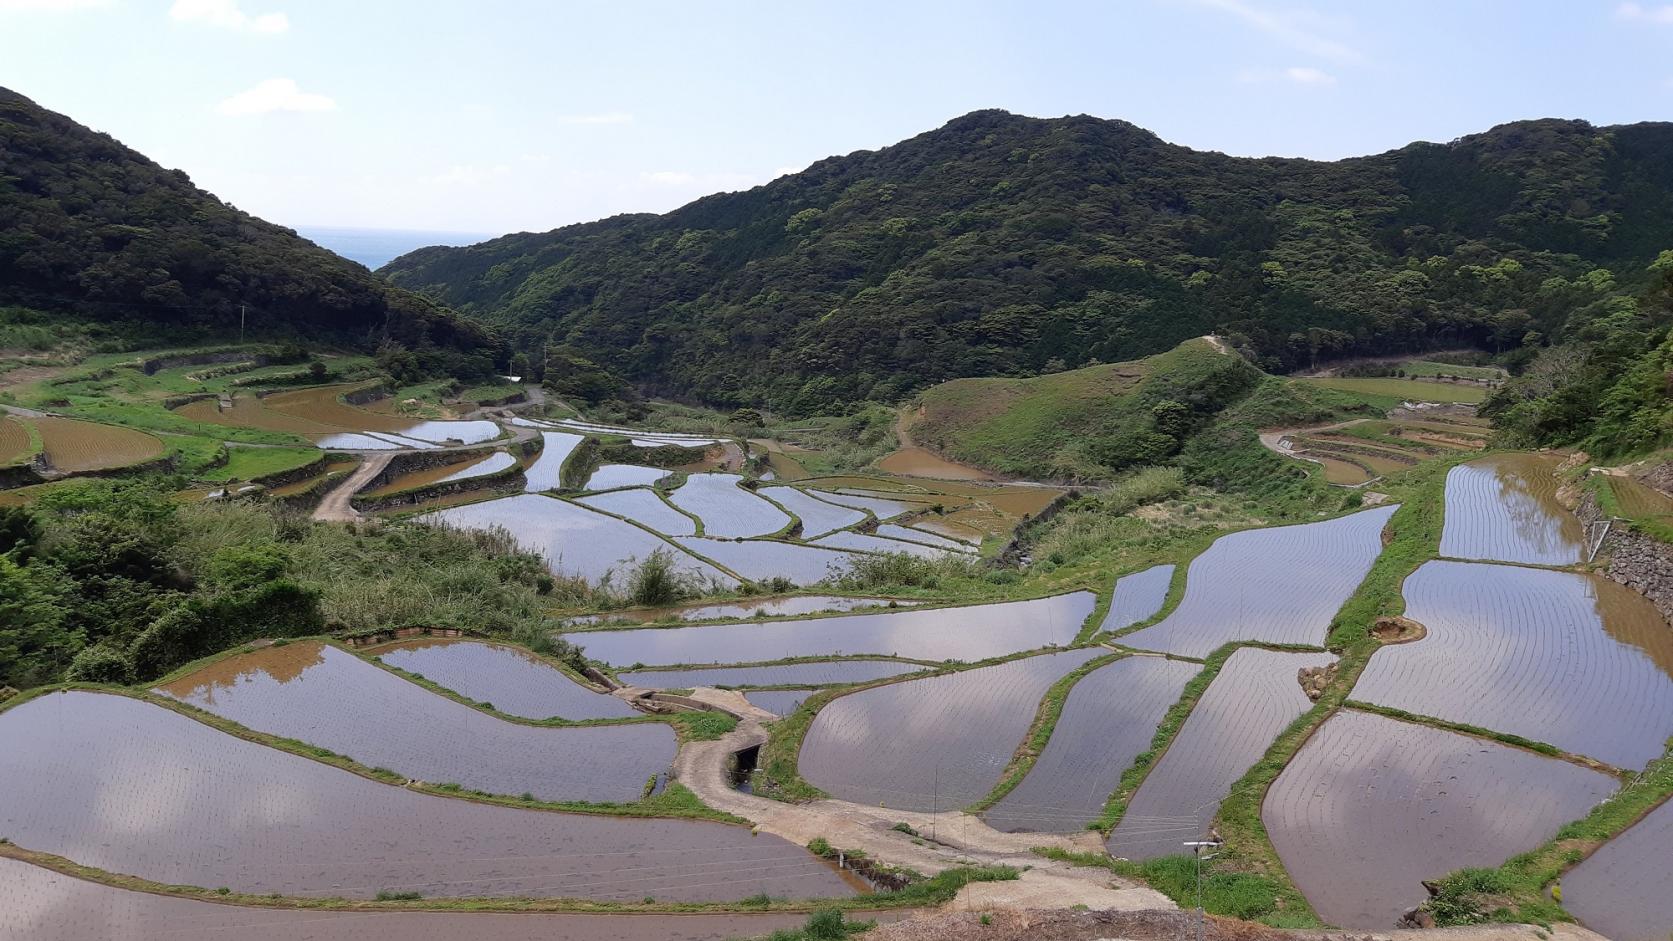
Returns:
<point x="1622" y="890"/>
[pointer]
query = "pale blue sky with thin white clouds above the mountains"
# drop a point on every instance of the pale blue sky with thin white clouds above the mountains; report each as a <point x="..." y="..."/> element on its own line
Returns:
<point x="514" y="115"/>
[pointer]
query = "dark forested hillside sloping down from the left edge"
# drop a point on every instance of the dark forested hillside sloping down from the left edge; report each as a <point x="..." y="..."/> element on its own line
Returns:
<point x="93" y="229"/>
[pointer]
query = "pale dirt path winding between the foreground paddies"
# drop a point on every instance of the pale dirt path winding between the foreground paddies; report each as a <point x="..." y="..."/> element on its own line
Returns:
<point x="948" y="840"/>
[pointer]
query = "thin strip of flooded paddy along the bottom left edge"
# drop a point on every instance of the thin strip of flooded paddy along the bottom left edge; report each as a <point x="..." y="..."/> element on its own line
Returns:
<point x="43" y="905"/>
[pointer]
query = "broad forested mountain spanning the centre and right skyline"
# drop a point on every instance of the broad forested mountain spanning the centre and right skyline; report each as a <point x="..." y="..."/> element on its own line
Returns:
<point x="1005" y="245"/>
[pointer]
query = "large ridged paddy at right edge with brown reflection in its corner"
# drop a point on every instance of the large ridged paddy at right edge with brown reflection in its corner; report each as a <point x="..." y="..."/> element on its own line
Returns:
<point x="1572" y="661"/>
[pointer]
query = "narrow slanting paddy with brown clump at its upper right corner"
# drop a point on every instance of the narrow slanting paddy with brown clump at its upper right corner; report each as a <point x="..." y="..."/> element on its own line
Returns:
<point x="1247" y="706"/>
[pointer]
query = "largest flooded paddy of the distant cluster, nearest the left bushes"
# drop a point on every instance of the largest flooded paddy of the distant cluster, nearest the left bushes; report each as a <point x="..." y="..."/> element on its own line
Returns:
<point x="573" y="538"/>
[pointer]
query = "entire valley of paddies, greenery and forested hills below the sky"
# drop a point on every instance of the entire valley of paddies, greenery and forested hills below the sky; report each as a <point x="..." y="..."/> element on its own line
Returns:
<point x="985" y="518"/>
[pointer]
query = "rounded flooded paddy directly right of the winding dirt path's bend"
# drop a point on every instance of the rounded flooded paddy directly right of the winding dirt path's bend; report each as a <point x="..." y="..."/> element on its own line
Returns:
<point x="931" y="744"/>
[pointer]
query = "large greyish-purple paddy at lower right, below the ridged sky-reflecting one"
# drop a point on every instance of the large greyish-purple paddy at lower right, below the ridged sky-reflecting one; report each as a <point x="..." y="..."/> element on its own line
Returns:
<point x="1373" y="806"/>
